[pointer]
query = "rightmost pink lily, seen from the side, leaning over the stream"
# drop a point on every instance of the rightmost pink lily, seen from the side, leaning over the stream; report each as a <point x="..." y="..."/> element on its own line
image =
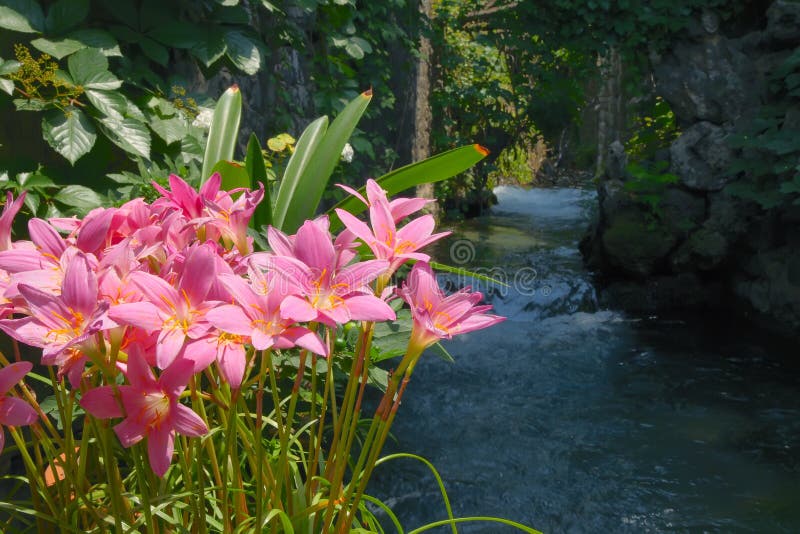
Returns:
<point x="437" y="316"/>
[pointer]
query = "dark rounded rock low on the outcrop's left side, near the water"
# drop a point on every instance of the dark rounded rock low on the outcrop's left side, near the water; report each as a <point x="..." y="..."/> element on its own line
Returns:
<point x="634" y="245"/>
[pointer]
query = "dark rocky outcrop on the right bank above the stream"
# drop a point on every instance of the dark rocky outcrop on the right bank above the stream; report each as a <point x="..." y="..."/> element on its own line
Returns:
<point x="692" y="243"/>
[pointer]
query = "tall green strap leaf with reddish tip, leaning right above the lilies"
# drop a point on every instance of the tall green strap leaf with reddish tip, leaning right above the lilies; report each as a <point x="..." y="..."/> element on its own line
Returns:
<point x="308" y="193"/>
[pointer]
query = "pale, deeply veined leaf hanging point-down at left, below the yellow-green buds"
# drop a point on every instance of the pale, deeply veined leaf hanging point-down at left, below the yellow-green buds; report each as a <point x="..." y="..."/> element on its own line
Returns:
<point x="69" y="132"/>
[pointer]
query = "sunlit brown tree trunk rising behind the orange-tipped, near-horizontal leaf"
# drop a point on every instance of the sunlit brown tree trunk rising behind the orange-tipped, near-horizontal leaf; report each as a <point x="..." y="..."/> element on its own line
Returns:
<point x="421" y="148"/>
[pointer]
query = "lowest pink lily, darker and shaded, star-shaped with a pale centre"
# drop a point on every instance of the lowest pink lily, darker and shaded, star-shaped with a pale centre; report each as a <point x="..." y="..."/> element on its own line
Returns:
<point x="151" y="409"/>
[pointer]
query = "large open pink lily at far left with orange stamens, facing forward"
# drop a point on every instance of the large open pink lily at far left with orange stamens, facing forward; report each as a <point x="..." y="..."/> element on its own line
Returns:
<point x="59" y="323"/>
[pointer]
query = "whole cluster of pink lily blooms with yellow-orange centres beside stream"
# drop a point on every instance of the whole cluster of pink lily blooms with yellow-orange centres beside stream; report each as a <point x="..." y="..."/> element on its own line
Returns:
<point x="161" y="291"/>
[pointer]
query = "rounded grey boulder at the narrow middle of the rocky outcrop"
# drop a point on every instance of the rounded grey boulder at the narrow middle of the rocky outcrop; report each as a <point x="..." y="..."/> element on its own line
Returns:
<point x="700" y="156"/>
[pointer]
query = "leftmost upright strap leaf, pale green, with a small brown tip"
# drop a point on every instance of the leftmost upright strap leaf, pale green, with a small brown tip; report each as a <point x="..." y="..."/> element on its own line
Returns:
<point x="224" y="130"/>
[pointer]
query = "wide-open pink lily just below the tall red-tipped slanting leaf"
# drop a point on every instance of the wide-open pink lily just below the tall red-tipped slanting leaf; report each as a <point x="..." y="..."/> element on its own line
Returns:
<point x="333" y="294"/>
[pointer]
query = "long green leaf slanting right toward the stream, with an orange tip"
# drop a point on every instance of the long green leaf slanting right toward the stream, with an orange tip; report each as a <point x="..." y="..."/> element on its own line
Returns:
<point x="434" y="169"/>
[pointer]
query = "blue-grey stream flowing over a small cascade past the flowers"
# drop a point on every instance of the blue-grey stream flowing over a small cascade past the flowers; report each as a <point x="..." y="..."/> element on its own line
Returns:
<point x="570" y="418"/>
